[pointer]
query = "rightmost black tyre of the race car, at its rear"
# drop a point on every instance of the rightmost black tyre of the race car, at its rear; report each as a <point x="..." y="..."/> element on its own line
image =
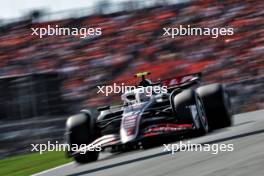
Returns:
<point x="217" y="105"/>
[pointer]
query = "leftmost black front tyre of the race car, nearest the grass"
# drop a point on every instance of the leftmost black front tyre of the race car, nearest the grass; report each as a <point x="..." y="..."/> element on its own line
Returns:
<point x="80" y="129"/>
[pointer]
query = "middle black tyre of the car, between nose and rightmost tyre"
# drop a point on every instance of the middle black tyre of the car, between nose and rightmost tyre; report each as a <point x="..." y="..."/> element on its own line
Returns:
<point x="189" y="109"/>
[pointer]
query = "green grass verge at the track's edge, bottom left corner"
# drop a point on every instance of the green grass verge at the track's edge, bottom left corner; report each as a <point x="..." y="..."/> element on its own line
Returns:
<point x="31" y="163"/>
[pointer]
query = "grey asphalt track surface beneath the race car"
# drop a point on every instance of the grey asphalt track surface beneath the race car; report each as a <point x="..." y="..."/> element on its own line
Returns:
<point x="247" y="158"/>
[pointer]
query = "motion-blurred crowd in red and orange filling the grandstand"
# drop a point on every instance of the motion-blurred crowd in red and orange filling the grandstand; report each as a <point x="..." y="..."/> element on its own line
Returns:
<point x="133" y="42"/>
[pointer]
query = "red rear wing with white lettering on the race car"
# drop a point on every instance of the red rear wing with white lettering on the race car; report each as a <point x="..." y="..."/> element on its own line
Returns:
<point x="183" y="80"/>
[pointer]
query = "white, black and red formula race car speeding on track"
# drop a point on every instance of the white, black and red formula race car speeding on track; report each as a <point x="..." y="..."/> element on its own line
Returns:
<point x="183" y="107"/>
